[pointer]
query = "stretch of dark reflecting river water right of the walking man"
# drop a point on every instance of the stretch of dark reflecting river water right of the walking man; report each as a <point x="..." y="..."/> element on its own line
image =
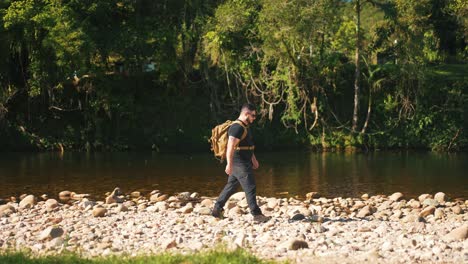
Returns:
<point x="344" y="174"/>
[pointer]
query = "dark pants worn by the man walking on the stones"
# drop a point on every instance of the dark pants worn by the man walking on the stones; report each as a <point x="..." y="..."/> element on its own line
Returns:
<point x="243" y="174"/>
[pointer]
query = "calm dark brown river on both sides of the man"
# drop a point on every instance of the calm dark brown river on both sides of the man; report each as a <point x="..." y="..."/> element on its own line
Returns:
<point x="281" y="174"/>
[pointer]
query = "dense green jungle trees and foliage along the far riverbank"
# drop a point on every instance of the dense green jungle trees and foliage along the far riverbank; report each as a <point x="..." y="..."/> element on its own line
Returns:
<point x="144" y="74"/>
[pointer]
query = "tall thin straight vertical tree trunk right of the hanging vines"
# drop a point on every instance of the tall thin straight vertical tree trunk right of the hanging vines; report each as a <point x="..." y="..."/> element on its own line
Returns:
<point x="357" y="61"/>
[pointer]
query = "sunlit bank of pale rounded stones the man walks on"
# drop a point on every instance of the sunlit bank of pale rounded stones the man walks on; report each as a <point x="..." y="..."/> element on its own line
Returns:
<point x="386" y="229"/>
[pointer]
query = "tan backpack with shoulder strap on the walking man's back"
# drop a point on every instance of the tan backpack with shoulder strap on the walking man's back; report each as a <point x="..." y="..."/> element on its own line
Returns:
<point x="219" y="138"/>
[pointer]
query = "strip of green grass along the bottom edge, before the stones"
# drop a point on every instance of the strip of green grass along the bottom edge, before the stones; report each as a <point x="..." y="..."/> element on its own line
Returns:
<point x="217" y="256"/>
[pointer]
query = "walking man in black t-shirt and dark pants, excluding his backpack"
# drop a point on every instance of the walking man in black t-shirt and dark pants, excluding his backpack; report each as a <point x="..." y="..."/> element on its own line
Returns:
<point x="241" y="162"/>
